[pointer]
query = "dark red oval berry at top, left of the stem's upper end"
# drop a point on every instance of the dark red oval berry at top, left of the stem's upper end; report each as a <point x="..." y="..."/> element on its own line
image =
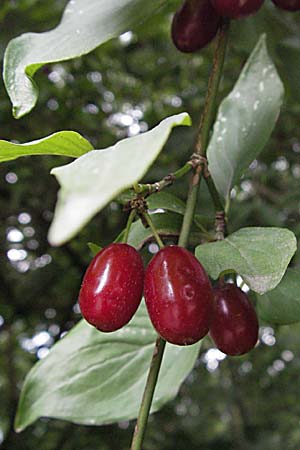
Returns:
<point x="194" y="25"/>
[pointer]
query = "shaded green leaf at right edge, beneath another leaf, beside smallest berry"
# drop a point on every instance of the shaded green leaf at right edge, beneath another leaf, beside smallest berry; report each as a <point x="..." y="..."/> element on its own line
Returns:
<point x="281" y="306"/>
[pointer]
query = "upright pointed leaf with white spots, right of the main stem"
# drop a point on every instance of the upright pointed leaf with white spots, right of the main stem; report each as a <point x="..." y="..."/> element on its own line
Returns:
<point x="245" y="120"/>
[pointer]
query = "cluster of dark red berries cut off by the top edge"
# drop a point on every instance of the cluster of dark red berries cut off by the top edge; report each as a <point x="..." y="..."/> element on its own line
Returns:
<point x="197" y="21"/>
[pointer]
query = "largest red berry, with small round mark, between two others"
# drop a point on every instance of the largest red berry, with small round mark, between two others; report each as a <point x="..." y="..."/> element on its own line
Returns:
<point x="178" y="296"/>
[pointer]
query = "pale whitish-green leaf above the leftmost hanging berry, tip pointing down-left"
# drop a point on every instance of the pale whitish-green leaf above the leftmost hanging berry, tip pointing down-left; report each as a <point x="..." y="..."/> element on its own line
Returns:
<point x="93" y="180"/>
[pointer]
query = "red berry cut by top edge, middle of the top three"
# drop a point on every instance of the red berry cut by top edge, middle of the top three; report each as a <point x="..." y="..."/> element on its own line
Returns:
<point x="236" y="9"/>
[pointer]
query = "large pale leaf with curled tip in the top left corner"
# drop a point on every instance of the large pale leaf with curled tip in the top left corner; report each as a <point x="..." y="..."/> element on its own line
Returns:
<point x="84" y="26"/>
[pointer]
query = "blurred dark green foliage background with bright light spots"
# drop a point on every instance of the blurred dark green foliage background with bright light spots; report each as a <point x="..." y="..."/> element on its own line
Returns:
<point x="126" y="86"/>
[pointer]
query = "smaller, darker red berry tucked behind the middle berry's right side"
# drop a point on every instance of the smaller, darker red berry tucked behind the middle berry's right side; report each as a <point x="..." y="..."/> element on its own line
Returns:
<point x="234" y="327"/>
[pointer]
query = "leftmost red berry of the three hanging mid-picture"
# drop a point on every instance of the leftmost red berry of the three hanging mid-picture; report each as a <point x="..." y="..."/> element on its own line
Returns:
<point x="112" y="287"/>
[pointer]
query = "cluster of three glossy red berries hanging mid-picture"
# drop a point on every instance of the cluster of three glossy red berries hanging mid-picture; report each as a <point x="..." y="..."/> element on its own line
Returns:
<point x="181" y="302"/>
